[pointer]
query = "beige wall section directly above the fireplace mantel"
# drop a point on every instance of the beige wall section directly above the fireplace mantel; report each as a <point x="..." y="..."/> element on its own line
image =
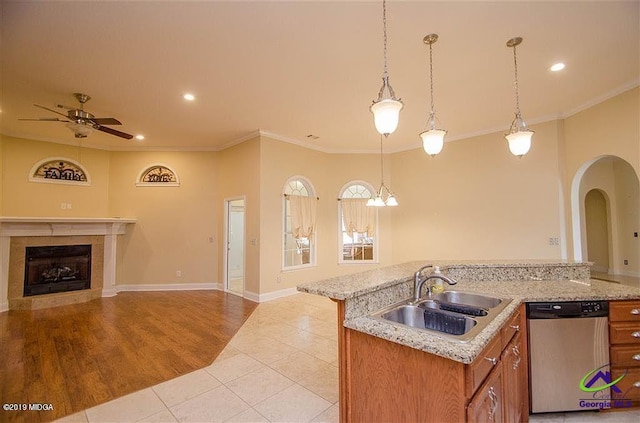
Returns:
<point x="20" y="197"/>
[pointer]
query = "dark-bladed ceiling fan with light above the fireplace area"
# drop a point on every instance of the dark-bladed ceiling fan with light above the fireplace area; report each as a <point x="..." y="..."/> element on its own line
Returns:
<point x="83" y="123"/>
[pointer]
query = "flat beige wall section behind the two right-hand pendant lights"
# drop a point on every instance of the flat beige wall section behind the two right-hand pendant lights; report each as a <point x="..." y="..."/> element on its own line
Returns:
<point x="475" y="200"/>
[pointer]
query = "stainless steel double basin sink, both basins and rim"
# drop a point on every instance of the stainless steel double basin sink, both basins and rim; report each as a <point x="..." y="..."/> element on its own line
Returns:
<point x="453" y="314"/>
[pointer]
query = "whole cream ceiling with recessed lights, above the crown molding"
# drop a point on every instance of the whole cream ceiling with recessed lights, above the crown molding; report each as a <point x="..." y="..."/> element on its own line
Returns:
<point x="297" y="68"/>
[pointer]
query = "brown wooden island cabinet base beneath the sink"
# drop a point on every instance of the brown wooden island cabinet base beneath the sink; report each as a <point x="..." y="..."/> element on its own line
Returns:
<point x="385" y="381"/>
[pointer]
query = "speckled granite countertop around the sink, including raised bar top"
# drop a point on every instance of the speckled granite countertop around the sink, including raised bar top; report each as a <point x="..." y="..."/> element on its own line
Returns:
<point x="354" y="288"/>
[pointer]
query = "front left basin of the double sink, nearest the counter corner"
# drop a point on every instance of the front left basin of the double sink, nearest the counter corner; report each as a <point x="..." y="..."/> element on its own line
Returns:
<point x="430" y="318"/>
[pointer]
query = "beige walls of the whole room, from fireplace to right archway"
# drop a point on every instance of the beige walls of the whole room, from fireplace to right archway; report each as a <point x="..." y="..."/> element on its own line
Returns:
<point x="473" y="201"/>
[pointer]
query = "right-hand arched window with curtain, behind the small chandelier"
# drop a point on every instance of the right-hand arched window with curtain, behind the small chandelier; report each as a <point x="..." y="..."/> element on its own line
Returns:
<point x="358" y="240"/>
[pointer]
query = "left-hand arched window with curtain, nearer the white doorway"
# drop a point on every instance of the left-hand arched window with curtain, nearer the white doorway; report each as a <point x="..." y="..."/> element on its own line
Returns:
<point x="299" y="209"/>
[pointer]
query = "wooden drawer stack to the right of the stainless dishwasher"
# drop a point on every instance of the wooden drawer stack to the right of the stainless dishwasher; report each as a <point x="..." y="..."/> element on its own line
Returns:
<point x="624" y="336"/>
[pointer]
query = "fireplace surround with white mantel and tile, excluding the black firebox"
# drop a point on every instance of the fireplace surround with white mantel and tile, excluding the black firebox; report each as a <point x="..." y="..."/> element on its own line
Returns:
<point x="19" y="233"/>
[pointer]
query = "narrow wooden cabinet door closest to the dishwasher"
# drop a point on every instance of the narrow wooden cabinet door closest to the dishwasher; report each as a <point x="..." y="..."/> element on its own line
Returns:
<point x="512" y="375"/>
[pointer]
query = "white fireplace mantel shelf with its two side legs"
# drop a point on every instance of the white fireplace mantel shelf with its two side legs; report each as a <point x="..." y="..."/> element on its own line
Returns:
<point x="109" y="227"/>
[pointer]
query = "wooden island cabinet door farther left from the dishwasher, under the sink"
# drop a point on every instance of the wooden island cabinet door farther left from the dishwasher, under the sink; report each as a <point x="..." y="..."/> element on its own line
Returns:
<point x="486" y="405"/>
